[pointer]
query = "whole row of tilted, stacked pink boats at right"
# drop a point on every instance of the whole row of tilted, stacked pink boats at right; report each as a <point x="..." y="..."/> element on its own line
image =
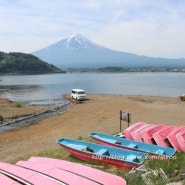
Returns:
<point x="159" y="134"/>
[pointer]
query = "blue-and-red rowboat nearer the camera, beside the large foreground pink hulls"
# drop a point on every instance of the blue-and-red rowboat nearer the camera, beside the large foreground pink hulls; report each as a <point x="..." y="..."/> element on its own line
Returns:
<point x="111" y="156"/>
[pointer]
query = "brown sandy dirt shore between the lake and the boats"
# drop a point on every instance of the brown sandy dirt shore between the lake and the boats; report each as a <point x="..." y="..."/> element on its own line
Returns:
<point x="98" y="113"/>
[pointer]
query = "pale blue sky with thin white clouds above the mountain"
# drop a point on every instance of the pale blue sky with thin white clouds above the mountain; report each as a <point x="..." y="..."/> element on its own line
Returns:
<point x="144" y="27"/>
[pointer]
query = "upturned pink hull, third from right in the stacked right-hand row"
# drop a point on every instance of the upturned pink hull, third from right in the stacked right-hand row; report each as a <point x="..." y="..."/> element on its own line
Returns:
<point x="161" y="135"/>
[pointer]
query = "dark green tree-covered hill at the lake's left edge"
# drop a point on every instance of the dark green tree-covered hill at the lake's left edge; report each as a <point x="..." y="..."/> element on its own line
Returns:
<point x="21" y="63"/>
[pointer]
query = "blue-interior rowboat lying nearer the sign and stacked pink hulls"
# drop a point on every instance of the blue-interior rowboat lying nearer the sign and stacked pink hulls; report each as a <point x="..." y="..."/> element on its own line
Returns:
<point x="132" y="145"/>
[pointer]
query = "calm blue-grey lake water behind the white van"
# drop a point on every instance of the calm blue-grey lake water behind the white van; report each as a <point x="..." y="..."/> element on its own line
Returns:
<point x="54" y="86"/>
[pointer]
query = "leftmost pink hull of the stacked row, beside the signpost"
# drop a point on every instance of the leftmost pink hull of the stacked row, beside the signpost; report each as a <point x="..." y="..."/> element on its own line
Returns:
<point x="128" y="131"/>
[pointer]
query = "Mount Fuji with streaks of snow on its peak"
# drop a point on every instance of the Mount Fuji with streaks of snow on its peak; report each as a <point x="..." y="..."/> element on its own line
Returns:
<point x="76" y="51"/>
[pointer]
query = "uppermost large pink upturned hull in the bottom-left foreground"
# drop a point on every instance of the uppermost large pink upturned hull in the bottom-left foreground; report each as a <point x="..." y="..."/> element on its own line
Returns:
<point x="92" y="175"/>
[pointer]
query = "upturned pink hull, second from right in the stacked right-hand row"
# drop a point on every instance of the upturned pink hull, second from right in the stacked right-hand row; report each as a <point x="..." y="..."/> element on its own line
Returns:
<point x="173" y="140"/>
